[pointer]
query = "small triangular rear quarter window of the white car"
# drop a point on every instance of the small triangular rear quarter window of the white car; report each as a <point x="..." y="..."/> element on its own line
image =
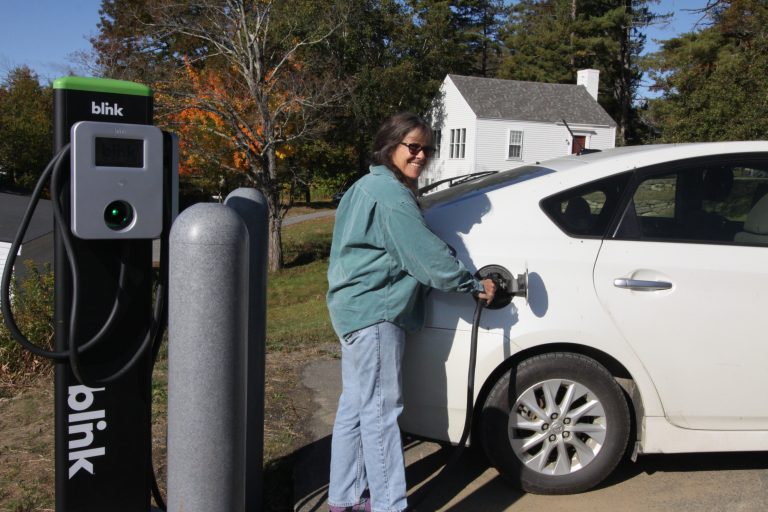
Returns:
<point x="587" y="210"/>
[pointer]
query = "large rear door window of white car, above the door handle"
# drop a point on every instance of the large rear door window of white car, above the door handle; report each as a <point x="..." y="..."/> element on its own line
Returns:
<point x="711" y="203"/>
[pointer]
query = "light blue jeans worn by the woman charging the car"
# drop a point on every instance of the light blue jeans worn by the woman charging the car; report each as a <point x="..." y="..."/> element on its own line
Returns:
<point x="366" y="449"/>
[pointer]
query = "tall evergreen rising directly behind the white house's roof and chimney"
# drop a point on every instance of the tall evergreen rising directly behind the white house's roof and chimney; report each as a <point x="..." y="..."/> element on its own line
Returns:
<point x="549" y="40"/>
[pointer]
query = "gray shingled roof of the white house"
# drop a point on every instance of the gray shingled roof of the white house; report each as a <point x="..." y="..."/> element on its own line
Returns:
<point x="494" y="98"/>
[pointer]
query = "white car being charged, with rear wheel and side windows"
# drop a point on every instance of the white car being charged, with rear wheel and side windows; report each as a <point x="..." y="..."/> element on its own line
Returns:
<point x="646" y="324"/>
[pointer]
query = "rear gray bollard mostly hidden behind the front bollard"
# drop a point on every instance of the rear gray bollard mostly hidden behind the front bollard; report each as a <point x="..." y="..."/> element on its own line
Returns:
<point x="251" y="205"/>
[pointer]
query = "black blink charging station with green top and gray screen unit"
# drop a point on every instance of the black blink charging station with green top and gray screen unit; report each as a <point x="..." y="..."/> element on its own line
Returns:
<point x="116" y="200"/>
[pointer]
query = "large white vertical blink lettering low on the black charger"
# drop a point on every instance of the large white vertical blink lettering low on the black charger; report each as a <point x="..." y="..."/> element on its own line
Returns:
<point x="81" y="423"/>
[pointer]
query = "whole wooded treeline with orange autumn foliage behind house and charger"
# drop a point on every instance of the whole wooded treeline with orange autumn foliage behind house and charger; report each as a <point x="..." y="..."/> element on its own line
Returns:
<point x="286" y="94"/>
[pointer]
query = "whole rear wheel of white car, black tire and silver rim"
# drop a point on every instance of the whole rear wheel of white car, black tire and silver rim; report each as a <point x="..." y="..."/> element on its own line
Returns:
<point x="556" y="423"/>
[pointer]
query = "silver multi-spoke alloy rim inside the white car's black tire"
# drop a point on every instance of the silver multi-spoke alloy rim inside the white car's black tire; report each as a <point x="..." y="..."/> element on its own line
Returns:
<point x="557" y="427"/>
